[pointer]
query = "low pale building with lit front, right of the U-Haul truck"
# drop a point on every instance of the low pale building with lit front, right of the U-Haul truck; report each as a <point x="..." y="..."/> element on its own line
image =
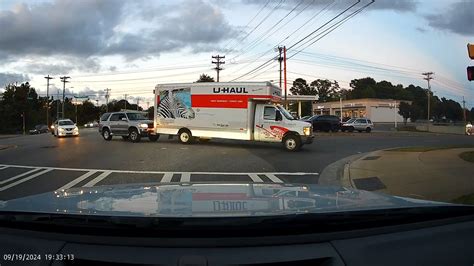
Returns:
<point x="377" y="110"/>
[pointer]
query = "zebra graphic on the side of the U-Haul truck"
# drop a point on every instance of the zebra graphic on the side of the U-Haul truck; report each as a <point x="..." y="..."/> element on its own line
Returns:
<point x="176" y="105"/>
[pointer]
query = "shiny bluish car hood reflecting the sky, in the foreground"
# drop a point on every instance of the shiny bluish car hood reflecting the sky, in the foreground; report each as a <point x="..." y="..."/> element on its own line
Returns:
<point x="207" y="200"/>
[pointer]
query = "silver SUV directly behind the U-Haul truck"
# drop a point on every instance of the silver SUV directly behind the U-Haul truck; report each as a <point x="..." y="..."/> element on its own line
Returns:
<point x="127" y="124"/>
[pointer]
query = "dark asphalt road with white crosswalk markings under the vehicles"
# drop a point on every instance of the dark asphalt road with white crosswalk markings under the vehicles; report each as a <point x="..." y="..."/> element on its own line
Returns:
<point x="42" y="163"/>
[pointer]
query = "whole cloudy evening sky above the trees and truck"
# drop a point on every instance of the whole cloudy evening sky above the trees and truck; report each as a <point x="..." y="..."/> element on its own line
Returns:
<point x="130" y="46"/>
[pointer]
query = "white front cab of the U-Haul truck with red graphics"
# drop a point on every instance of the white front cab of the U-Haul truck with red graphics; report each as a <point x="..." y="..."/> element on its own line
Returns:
<point x="275" y="124"/>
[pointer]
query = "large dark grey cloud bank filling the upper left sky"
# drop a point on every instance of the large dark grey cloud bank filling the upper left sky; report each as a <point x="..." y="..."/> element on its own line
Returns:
<point x="95" y="28"/>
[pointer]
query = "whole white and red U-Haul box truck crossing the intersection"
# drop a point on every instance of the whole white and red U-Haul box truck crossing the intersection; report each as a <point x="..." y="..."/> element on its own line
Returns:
<point x="241" y="111"/>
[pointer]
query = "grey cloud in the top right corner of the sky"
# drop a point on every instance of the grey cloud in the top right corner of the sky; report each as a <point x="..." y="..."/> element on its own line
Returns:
<point x="457" y="18"/>
